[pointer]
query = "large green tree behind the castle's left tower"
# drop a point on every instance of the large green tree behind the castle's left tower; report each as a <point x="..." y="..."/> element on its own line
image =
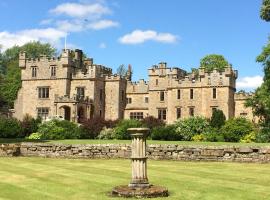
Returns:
<point x="9" y="61"/>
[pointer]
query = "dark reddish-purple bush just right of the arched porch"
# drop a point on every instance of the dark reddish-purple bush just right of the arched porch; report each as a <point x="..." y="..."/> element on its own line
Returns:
<point x="93" y="127"/>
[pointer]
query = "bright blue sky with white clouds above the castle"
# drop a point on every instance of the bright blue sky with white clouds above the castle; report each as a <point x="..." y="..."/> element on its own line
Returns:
<point x="144" y="32"/>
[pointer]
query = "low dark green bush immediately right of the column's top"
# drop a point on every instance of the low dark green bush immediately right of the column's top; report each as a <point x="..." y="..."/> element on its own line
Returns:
<point x="165" y="133"/>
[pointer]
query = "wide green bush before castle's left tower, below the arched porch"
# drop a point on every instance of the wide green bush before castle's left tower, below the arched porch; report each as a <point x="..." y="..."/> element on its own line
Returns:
<point x="58" y="130"/>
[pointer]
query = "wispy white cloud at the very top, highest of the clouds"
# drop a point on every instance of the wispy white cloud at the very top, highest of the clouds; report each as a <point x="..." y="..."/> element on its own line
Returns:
<point x="79" y="10"/>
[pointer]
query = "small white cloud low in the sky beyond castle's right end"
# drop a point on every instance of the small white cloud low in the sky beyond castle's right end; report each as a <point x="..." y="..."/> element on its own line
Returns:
<point x="249" y="82"/>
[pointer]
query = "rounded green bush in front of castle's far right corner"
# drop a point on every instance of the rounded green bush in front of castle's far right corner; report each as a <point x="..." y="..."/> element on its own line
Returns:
<point x="234" y="129"/>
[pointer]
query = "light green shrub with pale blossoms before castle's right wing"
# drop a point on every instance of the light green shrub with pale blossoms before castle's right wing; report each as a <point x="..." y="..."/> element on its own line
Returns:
<point x="189" y="127"/>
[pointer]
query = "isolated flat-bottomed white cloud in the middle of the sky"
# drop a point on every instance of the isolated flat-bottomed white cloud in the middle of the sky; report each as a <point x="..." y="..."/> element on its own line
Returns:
<point x="140" y="36"/>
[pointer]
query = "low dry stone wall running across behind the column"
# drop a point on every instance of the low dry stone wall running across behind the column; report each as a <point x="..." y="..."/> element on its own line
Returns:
<point x="157" y="152"/>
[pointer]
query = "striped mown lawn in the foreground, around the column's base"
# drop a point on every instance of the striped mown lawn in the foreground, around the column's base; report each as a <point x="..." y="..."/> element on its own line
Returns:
<point x="44" y="178"/>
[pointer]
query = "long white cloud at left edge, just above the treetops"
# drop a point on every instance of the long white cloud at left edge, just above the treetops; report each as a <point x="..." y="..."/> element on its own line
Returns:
<point x="50" y="35"/>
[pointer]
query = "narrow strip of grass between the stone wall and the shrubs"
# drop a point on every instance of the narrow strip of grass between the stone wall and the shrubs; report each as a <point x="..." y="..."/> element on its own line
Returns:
<point x="128" y="142"/>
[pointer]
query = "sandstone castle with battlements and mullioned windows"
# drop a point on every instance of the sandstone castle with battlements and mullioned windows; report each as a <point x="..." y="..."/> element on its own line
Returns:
<point x="77" y="89"/>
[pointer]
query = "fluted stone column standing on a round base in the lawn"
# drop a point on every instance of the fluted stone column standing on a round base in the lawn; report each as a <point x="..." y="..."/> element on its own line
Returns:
<point x="138" y="157"/>
